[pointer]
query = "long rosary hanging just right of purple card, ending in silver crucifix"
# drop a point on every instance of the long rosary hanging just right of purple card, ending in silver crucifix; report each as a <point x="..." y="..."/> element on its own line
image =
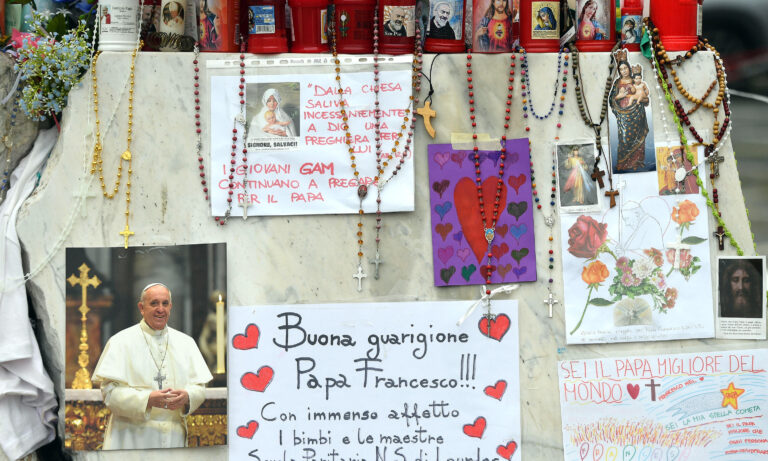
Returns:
<point x="550" y="219"/>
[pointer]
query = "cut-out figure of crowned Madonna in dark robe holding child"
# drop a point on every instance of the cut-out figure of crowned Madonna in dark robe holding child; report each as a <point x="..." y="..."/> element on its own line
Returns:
<point x="630" y="120"/>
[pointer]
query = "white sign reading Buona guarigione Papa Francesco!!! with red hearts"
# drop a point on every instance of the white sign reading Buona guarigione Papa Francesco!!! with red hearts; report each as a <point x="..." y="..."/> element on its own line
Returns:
<point x="374" y="382"/>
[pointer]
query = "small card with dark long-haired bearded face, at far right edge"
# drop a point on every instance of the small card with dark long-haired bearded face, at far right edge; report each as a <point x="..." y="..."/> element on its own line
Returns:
<point x="741" y="297"/>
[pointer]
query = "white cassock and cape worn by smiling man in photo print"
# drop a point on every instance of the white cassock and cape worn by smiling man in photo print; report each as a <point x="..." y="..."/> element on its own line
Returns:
<point x="127" y="373"/>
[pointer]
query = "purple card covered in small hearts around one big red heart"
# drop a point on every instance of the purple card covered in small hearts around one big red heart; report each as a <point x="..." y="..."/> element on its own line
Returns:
<point x="459" y="246"/>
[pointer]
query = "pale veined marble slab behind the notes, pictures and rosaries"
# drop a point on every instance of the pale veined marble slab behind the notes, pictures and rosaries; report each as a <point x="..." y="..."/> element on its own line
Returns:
<point x="311" y="259"/>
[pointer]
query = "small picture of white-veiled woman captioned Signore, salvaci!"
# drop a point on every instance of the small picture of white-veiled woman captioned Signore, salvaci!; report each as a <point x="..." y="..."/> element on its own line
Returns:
<point x="273" y="114"/>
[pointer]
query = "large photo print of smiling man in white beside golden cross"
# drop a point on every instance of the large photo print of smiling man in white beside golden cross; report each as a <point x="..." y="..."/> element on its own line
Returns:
<point x="145" y="363"/>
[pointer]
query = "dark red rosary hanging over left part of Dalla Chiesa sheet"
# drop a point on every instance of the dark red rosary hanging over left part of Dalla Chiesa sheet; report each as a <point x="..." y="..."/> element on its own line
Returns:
<point x="239" y="120"/>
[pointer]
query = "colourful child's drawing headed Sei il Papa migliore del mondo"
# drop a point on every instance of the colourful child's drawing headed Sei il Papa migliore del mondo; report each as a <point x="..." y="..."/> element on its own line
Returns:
<point x="684" y="407"/>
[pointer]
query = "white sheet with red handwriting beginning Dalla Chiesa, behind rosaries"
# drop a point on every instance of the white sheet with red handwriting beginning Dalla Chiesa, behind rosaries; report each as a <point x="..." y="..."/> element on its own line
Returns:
<point x="299" y="161"/>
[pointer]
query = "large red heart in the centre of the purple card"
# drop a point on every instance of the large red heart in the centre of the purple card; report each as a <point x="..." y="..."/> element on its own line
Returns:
<point x="468" y="210"/>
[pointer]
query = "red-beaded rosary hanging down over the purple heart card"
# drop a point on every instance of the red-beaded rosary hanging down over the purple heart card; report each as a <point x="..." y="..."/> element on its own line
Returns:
<point x="489" y="230"/>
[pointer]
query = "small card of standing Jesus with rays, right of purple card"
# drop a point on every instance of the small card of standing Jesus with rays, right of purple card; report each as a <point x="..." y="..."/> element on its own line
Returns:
<point x="577" y="192"/>
